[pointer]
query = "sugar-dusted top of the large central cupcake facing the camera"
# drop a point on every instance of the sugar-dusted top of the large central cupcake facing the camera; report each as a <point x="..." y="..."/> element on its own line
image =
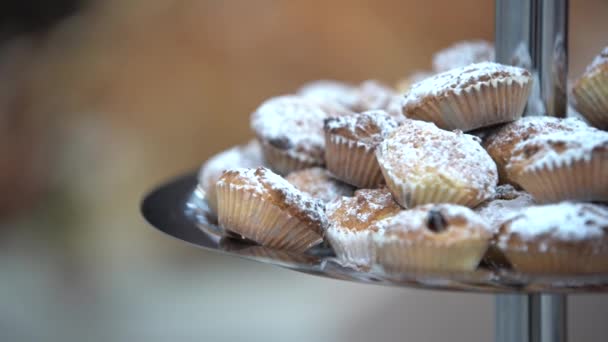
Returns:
<point x="419" y="153"/>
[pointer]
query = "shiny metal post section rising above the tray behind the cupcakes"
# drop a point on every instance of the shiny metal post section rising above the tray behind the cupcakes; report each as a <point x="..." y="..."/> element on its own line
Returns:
<point x="534" y="34"/>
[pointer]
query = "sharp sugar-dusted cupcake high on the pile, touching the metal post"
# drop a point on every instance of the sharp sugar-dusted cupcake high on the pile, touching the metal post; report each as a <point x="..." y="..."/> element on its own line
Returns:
<point x="471" y="97"/>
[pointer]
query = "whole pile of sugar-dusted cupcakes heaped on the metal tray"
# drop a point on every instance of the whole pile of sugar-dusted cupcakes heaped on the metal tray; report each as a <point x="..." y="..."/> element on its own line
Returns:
<point x="401" y="183"/>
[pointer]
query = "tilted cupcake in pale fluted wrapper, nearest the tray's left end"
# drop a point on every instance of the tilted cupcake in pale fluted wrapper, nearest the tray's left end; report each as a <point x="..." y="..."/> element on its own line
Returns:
<point x="263" y="207"/>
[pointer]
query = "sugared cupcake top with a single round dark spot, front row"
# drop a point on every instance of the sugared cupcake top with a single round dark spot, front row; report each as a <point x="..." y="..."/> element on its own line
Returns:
<point x="436" y="223"/>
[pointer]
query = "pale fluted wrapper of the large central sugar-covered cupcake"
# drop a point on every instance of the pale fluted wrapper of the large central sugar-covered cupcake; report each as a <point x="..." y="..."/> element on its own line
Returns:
<point x="411" y="195"/>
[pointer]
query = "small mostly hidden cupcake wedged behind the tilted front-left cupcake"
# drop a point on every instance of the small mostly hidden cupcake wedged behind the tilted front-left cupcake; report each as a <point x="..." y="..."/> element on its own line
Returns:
<point x="318" y="183"/>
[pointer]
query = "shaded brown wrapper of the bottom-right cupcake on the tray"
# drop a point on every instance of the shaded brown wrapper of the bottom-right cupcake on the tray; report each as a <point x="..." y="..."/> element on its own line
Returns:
<point x="575" y="261"/>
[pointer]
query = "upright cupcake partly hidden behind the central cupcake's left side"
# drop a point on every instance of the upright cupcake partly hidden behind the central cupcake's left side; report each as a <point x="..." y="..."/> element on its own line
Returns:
<point x="351" y="142"/>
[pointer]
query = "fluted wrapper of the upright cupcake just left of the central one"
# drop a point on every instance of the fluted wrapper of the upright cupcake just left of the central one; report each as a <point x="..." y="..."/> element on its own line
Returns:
<point x="352" y="162"/>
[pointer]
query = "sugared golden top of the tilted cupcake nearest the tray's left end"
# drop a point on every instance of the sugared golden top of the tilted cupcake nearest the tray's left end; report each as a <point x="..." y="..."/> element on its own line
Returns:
<point x="268" y="186"/>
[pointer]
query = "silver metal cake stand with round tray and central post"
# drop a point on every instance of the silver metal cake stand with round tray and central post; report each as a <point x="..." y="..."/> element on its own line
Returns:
<point x="529" y="308"/>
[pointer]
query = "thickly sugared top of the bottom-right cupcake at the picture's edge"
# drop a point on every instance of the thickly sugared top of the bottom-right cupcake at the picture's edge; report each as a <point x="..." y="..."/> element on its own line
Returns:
<point x="550" y="226"/>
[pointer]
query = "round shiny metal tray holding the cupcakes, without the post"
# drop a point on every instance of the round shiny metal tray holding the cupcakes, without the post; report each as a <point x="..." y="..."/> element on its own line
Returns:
<point x="180" y="211"/>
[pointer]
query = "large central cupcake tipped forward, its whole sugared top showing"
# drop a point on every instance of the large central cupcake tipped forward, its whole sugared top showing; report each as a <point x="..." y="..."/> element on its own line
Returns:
<point x="424" y="164"/>
